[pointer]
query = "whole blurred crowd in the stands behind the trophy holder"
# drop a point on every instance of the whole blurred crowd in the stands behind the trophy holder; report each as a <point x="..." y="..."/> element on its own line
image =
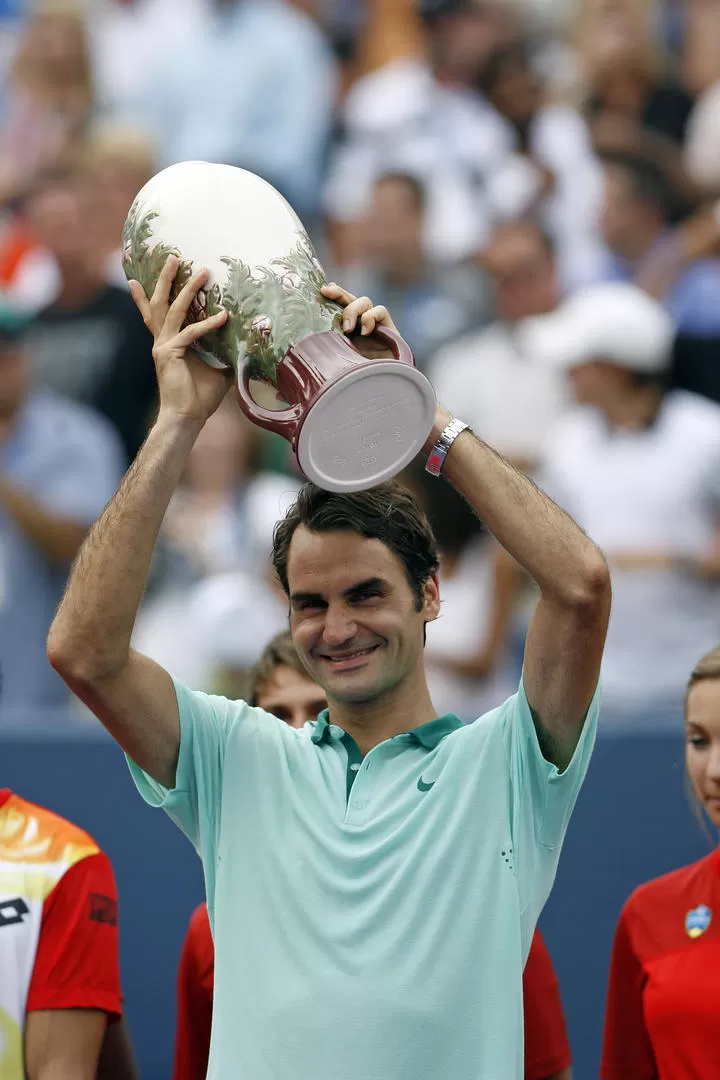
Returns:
<point x="476" y="166"/>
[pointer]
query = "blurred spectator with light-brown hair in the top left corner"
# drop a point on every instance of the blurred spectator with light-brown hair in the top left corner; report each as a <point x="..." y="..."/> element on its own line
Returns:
<point x="47" y="100"/>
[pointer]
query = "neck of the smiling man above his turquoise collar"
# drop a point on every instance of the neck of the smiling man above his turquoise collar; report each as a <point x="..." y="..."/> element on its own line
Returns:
<point x="374" y="722"/>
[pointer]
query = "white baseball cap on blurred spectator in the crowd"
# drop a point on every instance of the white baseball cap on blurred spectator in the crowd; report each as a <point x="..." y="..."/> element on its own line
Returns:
<point x="614" y="321"/>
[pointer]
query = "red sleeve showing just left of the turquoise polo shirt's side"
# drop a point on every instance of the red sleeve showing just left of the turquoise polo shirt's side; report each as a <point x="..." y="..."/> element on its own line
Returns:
<point x="195" y="1000"/>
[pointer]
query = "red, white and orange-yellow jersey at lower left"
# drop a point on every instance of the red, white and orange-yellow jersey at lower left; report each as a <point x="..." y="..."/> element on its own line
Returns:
<point x="59" y="924"/>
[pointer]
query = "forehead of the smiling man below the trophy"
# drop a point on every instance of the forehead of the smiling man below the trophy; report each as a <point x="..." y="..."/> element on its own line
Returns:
<point x="331" y="563"/>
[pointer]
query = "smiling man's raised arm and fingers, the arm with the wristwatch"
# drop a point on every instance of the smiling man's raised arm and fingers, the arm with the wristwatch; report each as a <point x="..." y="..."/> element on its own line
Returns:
<point x="567" y="634"/>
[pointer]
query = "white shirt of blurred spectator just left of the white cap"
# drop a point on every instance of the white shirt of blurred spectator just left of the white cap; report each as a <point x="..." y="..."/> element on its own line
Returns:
<point x="508" y="399"/>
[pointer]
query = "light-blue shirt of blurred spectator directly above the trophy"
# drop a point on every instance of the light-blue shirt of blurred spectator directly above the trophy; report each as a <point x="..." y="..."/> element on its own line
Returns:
<point x="265" y="79"/>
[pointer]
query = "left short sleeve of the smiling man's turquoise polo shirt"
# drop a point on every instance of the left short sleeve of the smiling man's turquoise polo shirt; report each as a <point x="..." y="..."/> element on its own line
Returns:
<point x="207" y="722"/>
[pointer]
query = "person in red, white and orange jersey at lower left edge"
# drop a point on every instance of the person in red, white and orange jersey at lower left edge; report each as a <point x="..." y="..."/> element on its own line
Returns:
<point x="61" y="1005"/>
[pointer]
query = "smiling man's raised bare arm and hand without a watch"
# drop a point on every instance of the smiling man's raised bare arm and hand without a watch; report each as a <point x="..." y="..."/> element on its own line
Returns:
<point x="90" y="639"/>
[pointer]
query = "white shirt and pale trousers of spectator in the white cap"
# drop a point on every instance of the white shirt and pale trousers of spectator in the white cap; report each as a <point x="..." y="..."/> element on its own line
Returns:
<point x="644" y="493"/>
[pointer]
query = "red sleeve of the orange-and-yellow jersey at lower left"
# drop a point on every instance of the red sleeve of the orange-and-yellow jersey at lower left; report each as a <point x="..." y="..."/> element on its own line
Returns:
<point x="77" y="965"/>
